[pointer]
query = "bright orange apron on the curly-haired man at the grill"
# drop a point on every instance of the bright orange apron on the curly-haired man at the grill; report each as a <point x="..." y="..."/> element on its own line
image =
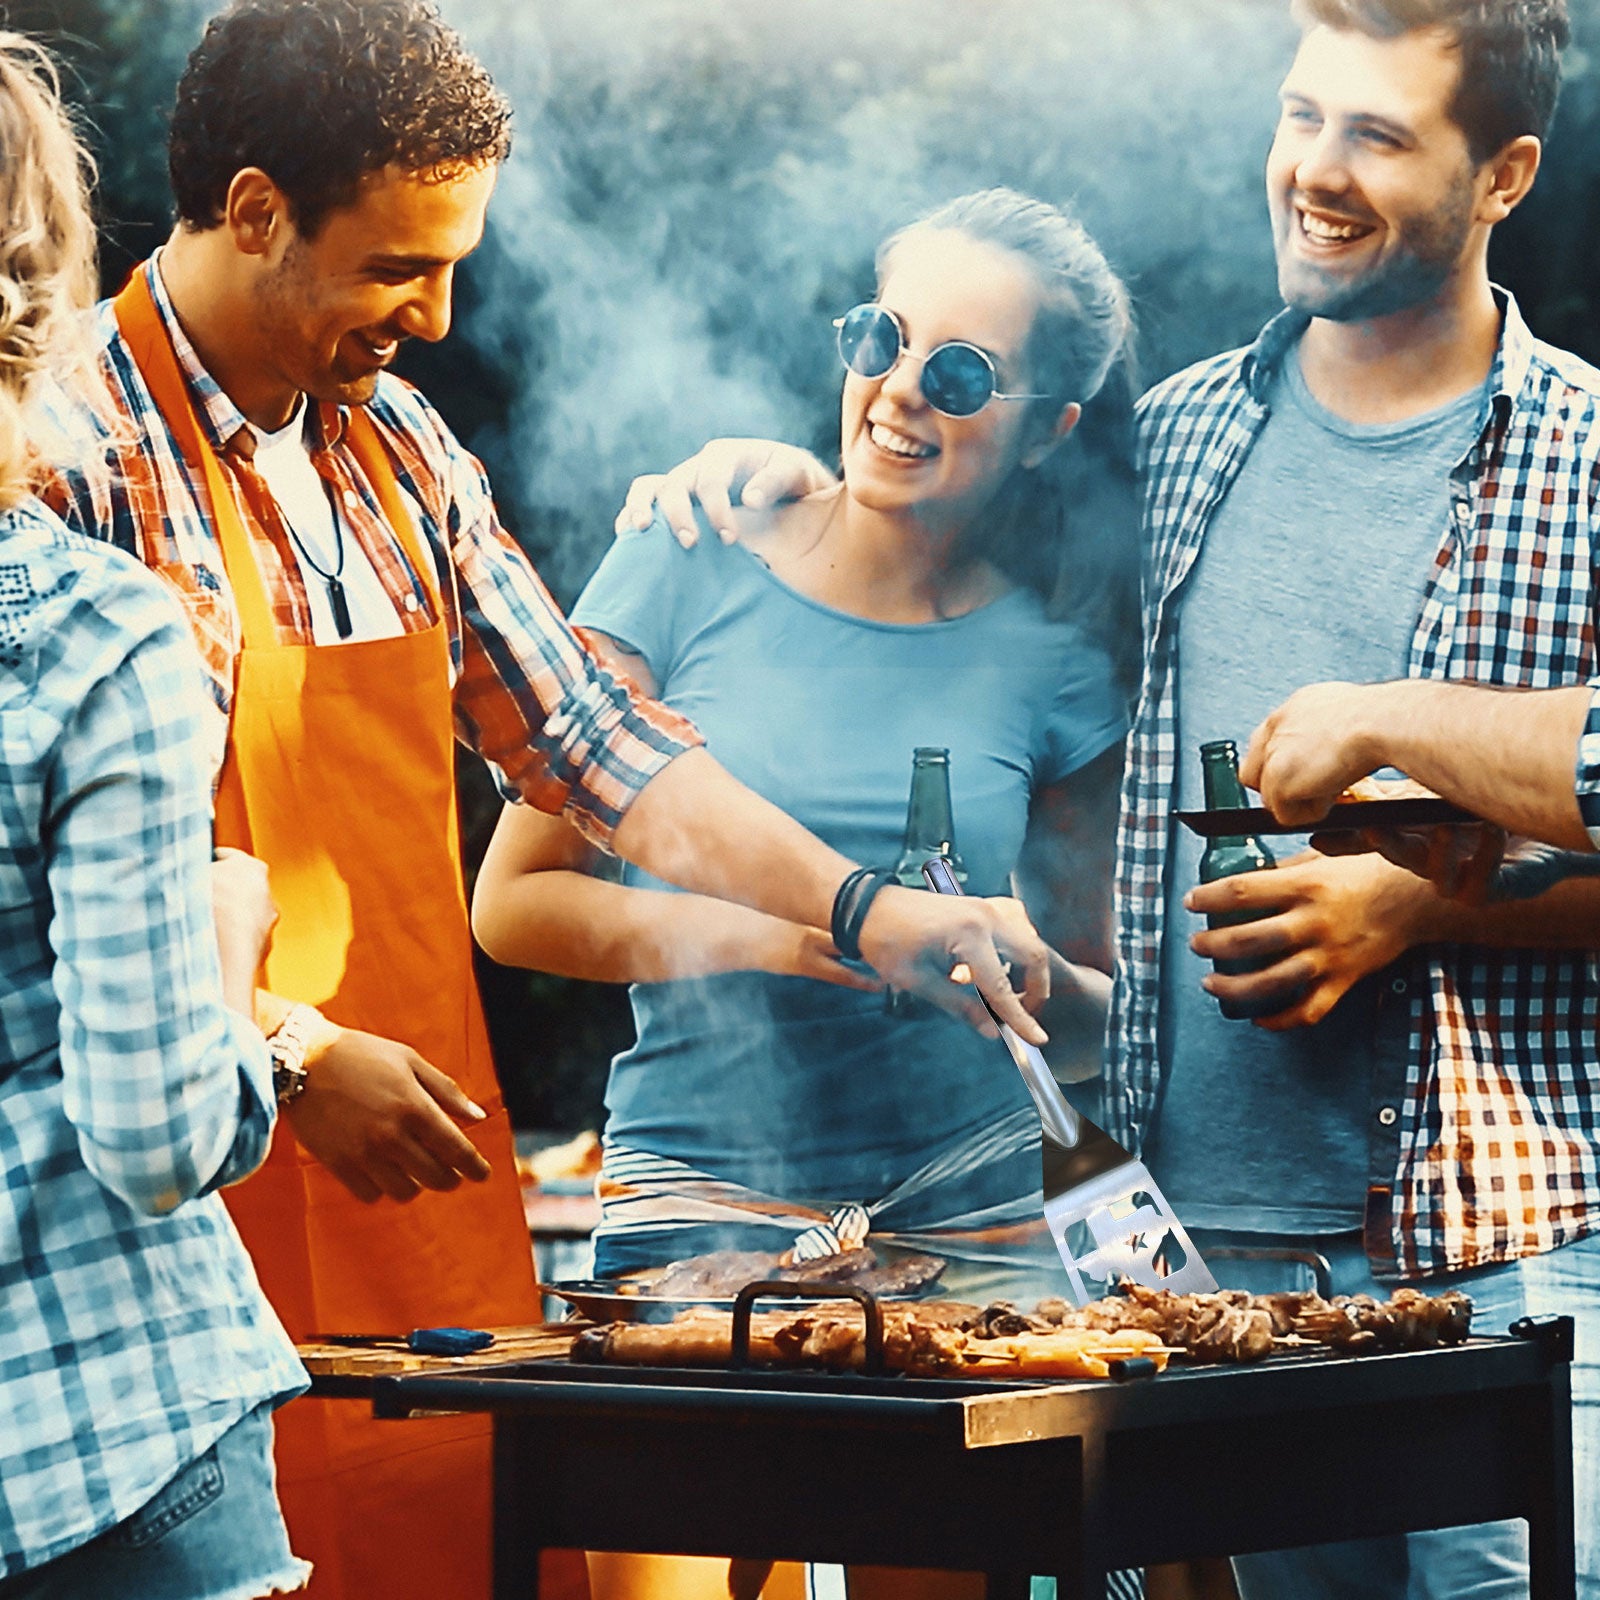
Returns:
<point x="340" y="775"/>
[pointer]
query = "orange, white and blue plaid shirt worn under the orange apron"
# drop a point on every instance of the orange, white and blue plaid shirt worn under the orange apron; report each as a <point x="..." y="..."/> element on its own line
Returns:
<point x="561" y="732"/>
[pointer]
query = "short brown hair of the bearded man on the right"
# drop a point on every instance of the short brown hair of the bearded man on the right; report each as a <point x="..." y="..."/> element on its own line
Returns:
<point x="1511" y="57"/>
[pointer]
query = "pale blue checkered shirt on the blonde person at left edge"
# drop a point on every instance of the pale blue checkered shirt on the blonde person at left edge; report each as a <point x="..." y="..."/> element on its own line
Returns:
<point x="132" y="1327"/>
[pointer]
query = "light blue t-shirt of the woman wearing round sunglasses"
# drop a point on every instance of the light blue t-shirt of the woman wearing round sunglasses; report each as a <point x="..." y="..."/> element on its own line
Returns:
<point x="790" y="1086"/>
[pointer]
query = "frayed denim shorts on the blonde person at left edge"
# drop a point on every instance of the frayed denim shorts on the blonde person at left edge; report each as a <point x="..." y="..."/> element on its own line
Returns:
<point x="214" y="1534"/>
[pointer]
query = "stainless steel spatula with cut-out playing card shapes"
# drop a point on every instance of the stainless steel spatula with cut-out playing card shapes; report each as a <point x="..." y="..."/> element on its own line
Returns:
<point x="1103" y="1210"/>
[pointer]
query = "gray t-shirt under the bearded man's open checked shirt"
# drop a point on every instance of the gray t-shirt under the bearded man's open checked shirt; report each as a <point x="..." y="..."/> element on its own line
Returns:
<point x="1313" y="569"/>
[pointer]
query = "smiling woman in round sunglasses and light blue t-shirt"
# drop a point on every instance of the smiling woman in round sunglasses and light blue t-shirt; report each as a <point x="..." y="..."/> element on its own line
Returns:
<point x="940" y="596"/>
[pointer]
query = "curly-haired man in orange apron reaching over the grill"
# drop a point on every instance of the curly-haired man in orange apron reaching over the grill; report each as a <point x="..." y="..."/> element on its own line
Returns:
<point x="359" y="609"/>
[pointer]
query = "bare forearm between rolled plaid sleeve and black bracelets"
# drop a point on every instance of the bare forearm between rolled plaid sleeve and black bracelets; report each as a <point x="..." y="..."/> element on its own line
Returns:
<point x="697" y="826"/>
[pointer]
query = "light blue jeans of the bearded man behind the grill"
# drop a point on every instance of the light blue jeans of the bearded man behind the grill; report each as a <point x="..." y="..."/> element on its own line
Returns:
<point x="1489" y="1562"/>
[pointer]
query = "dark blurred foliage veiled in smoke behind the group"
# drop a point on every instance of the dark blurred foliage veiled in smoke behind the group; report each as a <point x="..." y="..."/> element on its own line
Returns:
<point x="700" y="185"/>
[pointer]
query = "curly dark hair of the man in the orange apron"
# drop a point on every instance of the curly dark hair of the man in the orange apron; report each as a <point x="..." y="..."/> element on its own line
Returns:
<point x="319" y="94"/>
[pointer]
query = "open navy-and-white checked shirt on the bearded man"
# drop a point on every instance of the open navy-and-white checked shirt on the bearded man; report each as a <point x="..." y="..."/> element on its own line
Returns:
<point x="1486" y="1129"/>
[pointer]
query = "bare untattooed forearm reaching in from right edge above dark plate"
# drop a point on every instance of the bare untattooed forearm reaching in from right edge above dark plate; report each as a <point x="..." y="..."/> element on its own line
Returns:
<point x="1503" y="754"/>
